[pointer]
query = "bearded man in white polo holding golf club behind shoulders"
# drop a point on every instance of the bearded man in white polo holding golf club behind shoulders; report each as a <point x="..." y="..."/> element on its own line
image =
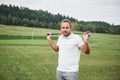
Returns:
<point x="69" y="46"/>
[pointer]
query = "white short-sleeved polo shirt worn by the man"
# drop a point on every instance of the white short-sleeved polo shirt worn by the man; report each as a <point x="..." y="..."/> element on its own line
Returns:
<point x="69" y="52"/>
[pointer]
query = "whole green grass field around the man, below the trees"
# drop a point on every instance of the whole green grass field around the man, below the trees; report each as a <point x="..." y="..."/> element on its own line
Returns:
<point x="33" y="59"/>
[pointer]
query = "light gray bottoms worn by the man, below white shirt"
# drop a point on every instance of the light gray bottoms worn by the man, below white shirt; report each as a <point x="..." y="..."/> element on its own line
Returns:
<point x="66" y="75"/>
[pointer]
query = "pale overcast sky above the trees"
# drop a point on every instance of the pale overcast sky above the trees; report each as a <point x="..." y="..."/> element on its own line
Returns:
<point x="82" y="10"/>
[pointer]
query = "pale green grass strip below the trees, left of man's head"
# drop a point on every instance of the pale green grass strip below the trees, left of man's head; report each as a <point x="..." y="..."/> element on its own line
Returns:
<point x="23" y="31"/>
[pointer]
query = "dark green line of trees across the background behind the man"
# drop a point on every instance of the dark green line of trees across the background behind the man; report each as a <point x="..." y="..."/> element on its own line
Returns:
<point x="22" y="16"/>
